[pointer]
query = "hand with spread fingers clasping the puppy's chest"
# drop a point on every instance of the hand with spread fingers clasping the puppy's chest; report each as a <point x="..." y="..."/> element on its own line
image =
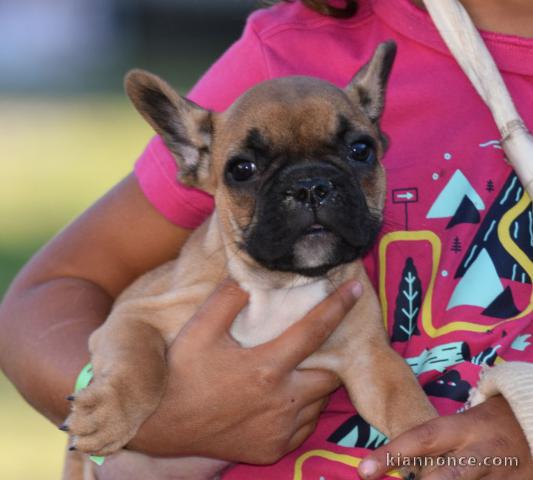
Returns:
<point x="242" y="404"/>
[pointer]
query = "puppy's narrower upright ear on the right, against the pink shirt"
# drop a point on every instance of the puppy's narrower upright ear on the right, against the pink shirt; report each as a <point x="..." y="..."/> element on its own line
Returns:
<point x="367" y="87"/>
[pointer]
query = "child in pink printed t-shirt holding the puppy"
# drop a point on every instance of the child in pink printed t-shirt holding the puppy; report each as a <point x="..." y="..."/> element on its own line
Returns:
<point x="452" y="266"/>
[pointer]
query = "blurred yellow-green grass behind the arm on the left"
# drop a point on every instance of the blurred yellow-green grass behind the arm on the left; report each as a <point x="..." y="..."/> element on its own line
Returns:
<point x="57" y="155"/>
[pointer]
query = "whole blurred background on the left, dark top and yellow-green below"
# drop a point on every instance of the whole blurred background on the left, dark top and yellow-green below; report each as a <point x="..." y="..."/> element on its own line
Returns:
<point x="68" y="133"/>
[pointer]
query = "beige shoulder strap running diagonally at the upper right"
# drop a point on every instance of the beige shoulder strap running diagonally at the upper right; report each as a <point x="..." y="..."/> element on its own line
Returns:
<point x="467" y="46"/>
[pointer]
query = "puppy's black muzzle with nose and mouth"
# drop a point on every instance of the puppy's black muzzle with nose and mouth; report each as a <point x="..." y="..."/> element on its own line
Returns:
<point x="314" y="202"/>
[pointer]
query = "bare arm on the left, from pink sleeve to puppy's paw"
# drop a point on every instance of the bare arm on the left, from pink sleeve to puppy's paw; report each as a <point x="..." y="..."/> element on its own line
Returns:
<point x="66" y="291"/>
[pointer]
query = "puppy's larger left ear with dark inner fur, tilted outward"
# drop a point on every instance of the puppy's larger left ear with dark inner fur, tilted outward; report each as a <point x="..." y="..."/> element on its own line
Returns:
<point x="185" y="127"/>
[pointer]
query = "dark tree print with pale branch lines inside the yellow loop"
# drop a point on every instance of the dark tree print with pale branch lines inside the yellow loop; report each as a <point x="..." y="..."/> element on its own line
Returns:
<point x="408" y="302"/>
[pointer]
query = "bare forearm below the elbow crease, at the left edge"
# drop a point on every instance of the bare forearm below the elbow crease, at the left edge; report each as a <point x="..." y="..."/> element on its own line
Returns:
<point x="43" y="342"/>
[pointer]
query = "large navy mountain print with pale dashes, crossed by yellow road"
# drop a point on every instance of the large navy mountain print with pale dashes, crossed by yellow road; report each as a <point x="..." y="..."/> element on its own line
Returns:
<point x="487" y="239"/>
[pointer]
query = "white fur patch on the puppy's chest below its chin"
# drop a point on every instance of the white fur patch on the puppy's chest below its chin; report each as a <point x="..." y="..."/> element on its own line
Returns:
<point x="270" y="312"/>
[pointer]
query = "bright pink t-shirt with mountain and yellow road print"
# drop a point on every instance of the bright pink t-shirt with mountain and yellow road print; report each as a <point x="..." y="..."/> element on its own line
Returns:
<point x="453" y="264"/>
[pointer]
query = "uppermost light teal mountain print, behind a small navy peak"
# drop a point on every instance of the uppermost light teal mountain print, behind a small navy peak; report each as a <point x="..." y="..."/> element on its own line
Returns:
<point x="452" y="195"/>
